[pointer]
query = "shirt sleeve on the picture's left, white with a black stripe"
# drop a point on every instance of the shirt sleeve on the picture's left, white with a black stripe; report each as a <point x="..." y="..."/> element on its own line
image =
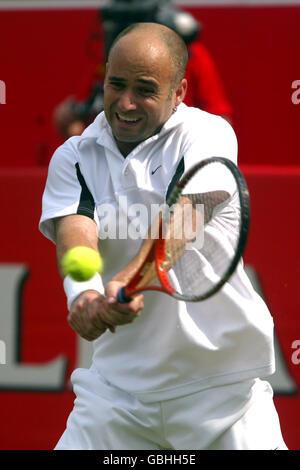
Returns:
<point x="66" y="191"/>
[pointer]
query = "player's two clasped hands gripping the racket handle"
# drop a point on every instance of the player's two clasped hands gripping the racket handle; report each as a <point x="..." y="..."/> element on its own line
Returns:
<point x="91" y="314"/>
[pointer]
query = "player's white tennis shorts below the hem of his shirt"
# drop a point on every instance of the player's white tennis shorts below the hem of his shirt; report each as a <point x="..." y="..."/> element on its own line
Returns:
<point x="239" y="416"/>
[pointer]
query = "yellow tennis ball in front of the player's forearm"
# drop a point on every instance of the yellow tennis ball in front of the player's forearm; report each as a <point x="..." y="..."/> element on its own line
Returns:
<point x="81" y="263"/>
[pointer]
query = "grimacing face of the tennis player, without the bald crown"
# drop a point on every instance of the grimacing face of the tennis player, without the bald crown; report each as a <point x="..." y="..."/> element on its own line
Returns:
<point x="137" y="91"/>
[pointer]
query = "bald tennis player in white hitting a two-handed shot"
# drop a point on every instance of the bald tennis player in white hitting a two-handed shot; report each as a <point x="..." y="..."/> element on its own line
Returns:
<point x="164" y="374"/>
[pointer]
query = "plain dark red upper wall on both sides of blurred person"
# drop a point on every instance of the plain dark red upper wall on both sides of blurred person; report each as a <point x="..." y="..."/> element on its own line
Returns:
<point x="45" y="55"/>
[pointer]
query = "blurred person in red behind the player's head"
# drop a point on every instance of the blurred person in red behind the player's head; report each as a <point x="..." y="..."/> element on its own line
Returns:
<point x="205" y="88"/>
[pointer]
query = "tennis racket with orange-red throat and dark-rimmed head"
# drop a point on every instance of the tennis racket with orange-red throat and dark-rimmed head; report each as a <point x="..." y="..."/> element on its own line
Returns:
<point x="198" y="240"/>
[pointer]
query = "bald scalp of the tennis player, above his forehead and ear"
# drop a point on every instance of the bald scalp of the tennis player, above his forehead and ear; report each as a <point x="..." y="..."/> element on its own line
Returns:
<point x="154" y="33"/>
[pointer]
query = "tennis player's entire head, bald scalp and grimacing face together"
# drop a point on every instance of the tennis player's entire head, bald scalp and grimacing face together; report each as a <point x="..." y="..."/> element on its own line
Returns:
<point x="144" y="83"/>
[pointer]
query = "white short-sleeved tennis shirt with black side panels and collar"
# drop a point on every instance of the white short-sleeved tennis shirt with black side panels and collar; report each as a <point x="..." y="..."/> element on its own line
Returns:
<point x="173" y="348"/>
